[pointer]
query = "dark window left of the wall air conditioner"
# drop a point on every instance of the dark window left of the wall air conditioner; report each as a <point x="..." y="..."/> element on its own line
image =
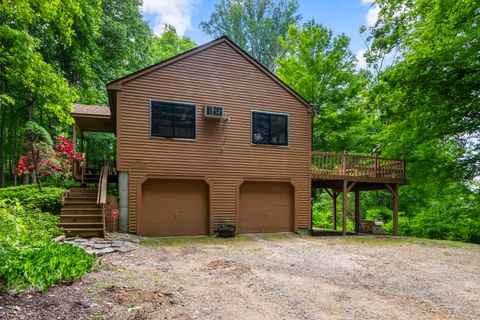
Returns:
<point x="172" y="120"/>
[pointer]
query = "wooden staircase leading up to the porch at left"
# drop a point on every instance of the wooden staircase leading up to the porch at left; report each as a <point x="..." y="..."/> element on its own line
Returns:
<point x="81" y="215"/>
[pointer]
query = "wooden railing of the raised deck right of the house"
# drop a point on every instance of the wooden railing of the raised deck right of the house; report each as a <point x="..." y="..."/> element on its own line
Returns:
<point x="331" y="165"/>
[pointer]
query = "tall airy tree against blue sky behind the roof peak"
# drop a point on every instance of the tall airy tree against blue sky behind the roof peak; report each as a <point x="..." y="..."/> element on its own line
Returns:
<point x="254" y="25"/>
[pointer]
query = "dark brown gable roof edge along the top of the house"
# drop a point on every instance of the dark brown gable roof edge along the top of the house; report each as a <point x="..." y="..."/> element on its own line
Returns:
<point x="117" y="84"/>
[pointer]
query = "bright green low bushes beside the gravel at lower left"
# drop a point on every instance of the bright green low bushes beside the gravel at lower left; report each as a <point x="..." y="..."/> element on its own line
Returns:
<point x="28" y="256"/>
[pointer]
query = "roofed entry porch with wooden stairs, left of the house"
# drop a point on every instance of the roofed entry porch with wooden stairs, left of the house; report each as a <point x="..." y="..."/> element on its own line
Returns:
<point x="85" y="210"/>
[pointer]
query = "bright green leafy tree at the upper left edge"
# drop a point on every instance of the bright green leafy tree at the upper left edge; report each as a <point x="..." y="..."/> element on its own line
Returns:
<point x="27" y="80"/>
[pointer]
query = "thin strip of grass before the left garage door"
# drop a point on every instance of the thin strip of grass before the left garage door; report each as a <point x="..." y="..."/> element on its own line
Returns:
<point x="185" y="241"/>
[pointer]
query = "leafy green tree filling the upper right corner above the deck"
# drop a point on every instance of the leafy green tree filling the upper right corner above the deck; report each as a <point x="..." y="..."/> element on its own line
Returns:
<point x="431" y="93"/>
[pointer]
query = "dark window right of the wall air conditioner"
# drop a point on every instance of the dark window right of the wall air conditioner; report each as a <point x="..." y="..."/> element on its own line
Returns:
<point x="269" y="128"/>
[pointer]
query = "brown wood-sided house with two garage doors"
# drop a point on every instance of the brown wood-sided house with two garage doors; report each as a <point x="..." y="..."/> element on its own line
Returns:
<point x="211" y="137"/>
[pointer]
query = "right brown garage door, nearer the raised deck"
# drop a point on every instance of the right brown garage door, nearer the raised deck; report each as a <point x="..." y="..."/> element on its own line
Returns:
<point x="266" y="207"/>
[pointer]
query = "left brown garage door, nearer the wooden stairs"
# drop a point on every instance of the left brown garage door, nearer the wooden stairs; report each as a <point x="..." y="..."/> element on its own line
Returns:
<point x="174" y="207"/>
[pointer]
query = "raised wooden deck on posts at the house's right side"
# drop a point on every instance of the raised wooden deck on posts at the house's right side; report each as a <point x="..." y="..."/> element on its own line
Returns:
<point x="344" y="173"/>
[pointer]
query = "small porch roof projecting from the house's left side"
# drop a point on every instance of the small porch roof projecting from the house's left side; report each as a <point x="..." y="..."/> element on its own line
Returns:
<point x="92" y="118"/>
